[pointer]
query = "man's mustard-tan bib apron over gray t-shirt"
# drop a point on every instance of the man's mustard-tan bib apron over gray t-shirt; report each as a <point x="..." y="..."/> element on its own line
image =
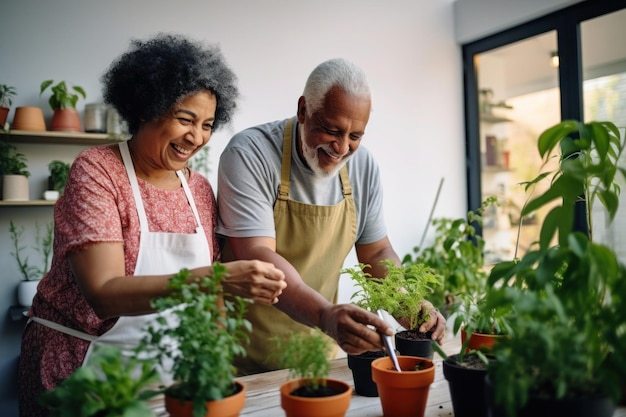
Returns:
<point x="316" y="240"/>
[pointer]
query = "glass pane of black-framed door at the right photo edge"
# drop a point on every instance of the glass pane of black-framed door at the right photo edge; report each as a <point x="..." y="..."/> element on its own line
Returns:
<point x="604" y="98"/>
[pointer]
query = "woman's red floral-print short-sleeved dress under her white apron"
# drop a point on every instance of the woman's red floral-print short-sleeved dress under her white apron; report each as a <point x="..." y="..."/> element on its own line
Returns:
<point x="98" y="206"/>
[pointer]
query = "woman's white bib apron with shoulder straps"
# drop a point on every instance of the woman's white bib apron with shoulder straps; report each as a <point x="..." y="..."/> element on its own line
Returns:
<point x="159" y="253"/>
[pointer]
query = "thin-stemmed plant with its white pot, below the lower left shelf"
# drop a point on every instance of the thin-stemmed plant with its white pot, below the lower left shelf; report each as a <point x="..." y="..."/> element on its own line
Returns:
<point x="31" y="275"/>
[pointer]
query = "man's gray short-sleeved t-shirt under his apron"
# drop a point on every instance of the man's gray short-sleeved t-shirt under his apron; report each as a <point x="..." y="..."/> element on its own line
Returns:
<point x="249" y="176"/>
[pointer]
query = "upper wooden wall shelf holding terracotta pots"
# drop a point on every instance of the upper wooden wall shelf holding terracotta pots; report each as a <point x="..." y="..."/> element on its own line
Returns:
<point x="60" y="138"/>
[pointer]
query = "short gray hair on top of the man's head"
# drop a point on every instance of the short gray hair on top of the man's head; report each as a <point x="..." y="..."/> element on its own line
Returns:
<point x="334" y="72"/>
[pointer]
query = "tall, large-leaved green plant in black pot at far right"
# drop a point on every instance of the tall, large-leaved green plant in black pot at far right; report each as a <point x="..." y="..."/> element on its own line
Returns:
<point x="565" y="354"/>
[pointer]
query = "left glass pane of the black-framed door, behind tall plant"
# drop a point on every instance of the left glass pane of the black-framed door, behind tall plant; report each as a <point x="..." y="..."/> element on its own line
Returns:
<point x="518" y="99"/>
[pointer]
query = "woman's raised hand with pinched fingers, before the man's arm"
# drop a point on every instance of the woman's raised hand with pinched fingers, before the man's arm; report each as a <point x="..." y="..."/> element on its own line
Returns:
<point x="260" y="281"/>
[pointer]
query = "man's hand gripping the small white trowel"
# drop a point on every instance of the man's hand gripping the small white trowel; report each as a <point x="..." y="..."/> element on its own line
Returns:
<point x="351" y="327"/>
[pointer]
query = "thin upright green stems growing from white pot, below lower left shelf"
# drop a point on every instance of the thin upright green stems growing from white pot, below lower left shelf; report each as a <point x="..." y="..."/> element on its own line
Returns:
<point x="44" y="248"/>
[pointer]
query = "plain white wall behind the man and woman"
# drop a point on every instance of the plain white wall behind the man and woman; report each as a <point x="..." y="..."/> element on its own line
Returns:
<point x="406" y="46"/>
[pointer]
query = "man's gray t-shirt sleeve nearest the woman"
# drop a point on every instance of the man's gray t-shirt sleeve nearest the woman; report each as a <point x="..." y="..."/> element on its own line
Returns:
<point x="245" y="195"/>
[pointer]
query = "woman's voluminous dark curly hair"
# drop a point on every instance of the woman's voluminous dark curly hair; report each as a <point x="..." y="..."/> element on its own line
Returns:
<point x="154" y="75"/>
